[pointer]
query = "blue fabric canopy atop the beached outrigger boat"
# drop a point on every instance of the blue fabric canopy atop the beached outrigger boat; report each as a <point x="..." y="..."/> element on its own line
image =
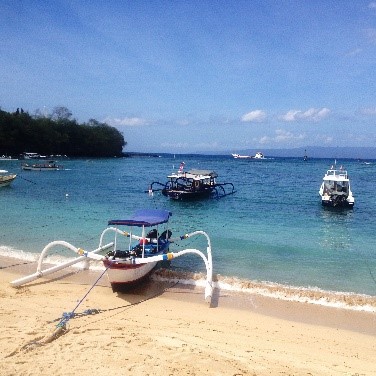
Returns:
<point x="144" y="217"/>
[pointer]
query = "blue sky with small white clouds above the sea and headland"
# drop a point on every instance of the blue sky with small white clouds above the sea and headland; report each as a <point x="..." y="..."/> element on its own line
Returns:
<point x="198" y="76"/>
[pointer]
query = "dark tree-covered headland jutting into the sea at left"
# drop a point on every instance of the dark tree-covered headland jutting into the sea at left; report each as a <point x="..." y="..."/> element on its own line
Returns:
<point x="57" y="134"/>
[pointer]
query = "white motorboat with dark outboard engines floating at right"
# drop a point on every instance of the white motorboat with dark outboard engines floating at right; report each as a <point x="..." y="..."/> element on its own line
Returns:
<point x="335" y="190"/>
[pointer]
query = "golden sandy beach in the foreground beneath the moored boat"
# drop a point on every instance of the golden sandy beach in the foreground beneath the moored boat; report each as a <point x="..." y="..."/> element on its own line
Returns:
<point x="170" y="330"/>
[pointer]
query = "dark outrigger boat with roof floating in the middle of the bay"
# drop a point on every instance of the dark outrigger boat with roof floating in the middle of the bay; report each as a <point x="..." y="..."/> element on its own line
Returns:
<point x="192" y="185"/>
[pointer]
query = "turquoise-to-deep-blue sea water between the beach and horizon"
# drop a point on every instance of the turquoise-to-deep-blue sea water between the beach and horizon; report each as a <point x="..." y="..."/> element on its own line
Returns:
<point x="272" y="230"/>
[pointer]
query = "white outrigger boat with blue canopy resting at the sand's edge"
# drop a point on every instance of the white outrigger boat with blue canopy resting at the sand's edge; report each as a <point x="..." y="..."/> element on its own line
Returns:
<point x="133" y="257"/>
